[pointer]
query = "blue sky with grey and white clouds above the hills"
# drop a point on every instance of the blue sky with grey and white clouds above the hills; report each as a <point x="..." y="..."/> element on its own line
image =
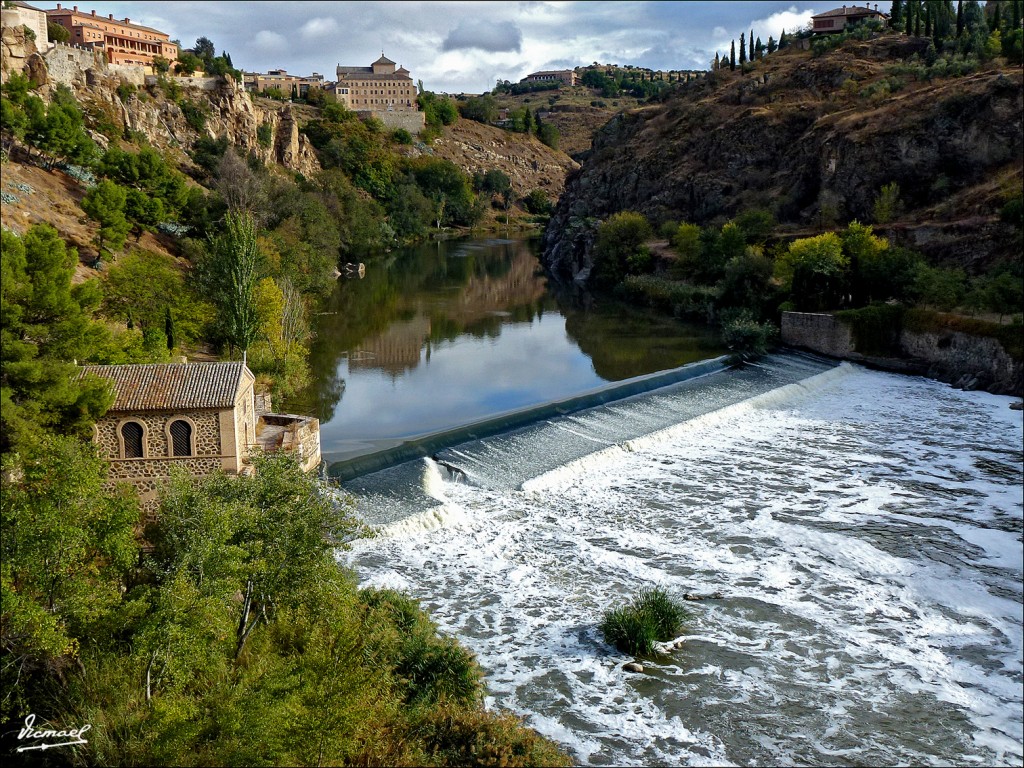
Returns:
<point x="465" y="47"/>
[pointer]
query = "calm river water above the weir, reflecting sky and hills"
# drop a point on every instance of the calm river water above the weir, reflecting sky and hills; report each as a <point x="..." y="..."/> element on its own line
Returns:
<point x="446" y="334"/>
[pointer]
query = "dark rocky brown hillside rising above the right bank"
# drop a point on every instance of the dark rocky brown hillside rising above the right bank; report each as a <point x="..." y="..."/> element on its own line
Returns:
<point x="814" y="140"/>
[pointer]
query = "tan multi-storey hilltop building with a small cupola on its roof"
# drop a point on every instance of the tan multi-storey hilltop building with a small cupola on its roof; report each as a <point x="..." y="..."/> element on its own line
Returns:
<point x="382" y="91"/>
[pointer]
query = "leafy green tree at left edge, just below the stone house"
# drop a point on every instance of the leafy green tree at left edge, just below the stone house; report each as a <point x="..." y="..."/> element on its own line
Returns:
<point x="66" y="549"/>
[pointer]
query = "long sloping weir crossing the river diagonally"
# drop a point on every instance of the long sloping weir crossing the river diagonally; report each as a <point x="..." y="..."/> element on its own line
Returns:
<point x="415" y="494"/>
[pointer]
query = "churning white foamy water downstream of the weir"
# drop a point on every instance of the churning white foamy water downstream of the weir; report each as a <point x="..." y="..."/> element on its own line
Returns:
<point x="865" y="531"/>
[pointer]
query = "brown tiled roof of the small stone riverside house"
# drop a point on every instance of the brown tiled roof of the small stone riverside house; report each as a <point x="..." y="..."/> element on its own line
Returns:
<point x="174" y="387"/>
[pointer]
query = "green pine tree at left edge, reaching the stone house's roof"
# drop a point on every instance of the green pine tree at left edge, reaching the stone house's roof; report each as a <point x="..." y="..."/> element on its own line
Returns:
<point x="45" y="324"/>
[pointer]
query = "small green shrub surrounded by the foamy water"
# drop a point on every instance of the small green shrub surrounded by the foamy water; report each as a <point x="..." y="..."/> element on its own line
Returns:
<point x="653" y="616"/>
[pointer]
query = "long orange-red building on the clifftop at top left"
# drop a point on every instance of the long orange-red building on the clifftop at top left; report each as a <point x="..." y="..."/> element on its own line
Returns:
<point x="121" y="41"/>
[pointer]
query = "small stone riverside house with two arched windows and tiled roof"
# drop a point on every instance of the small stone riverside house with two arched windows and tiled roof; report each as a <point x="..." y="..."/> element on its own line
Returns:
<point x="201" y="416"/>
